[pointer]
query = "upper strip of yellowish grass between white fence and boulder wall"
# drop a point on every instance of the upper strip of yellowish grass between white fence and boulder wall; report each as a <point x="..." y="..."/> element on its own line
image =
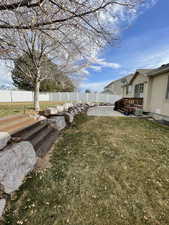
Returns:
<point x="7" y="109"/>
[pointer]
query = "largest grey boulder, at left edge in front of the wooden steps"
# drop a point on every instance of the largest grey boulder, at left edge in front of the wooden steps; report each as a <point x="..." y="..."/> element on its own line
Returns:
<point x="16" y="161"/>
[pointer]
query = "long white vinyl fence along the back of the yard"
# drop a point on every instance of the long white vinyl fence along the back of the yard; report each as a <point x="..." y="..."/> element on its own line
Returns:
<point x="27" y="96"/>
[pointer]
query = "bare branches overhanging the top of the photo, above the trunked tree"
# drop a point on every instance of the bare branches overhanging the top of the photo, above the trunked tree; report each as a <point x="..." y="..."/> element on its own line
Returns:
<point x="93" y="18"/>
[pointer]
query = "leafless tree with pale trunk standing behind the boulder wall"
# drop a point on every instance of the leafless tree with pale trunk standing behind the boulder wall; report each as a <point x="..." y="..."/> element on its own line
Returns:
<point x="35" y="50"/>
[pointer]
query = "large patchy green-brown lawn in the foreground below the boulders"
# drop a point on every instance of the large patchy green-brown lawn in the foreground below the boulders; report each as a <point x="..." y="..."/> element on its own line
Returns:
<point x="105" y="171"/>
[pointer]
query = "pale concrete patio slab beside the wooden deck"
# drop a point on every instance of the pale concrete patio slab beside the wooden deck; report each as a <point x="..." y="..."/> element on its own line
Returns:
<point x="103" y="111"/>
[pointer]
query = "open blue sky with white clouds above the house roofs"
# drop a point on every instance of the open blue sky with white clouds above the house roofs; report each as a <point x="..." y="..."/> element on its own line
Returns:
<point x="143" y="44"/>
